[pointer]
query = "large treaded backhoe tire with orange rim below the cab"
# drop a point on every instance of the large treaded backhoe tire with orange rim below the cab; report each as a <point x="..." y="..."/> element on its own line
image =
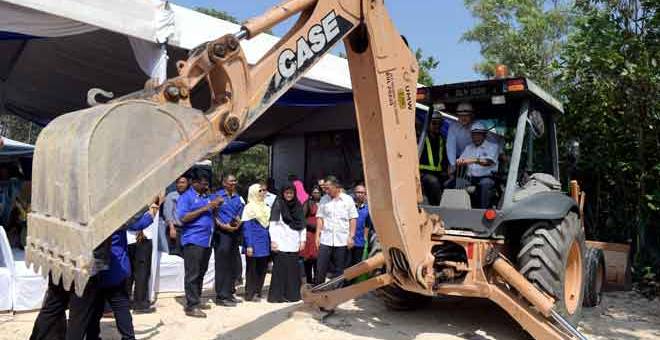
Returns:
<point x="552" y="258"/>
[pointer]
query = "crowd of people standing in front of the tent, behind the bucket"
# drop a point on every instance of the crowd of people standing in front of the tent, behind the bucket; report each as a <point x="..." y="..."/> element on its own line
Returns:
<point x="305" y="237"/>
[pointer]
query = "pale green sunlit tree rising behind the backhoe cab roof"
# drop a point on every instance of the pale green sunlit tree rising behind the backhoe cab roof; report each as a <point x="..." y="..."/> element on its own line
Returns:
<point x="525" y="35"/>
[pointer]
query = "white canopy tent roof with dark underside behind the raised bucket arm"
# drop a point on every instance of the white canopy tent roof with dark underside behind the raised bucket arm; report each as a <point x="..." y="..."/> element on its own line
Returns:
<point x="55" y="51"/>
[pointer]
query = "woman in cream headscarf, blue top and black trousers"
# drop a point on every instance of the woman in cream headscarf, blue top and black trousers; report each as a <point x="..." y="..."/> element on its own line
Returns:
<point x="256" y="241"/>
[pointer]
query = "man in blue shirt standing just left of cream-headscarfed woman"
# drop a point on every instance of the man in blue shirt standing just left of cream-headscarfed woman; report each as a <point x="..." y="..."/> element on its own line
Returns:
<point x="225" y="243"/>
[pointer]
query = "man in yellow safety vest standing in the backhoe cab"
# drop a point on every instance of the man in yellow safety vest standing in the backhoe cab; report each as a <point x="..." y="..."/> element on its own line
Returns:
<point x="432" y="162"/>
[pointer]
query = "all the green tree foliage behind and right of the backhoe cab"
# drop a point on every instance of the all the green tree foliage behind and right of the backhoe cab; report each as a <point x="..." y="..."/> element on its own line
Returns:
<point x="601" y="59"/>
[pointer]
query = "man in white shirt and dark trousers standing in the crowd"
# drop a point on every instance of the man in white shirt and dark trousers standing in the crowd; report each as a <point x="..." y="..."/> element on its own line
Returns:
<point x="336" y="221"/>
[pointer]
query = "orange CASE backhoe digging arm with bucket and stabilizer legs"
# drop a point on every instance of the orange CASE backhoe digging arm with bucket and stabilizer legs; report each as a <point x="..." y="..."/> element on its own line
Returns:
<point x="94" y="168"/>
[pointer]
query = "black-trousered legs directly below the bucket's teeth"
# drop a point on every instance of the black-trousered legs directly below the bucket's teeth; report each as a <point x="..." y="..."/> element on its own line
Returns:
<point x="51" y="322"/>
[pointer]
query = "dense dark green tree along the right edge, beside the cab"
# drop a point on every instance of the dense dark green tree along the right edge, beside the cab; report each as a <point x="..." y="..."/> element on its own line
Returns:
<point x="610" y="82"/>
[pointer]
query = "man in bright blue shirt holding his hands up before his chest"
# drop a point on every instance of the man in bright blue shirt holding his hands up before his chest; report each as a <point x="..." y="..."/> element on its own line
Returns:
<point x="195" y="209"/>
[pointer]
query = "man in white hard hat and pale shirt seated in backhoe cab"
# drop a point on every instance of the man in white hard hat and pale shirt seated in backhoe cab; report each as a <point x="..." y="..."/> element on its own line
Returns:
<point x="480" y="158"/>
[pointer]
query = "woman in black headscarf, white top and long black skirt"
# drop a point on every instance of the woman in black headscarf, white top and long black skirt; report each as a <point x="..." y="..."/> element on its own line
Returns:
<point x="287" y="235"/>
